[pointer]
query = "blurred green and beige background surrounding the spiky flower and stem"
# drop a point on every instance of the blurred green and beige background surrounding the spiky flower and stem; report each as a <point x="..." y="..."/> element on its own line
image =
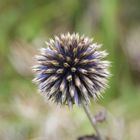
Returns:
<point x="25" y="25"/>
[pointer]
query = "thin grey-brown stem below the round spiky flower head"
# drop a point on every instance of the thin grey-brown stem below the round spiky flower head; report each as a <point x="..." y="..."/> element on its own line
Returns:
<point x="91" y="119"/>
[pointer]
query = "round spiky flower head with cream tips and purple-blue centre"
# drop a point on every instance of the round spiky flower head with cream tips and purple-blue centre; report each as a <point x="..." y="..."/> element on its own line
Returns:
<point x="71" y="69"/>
